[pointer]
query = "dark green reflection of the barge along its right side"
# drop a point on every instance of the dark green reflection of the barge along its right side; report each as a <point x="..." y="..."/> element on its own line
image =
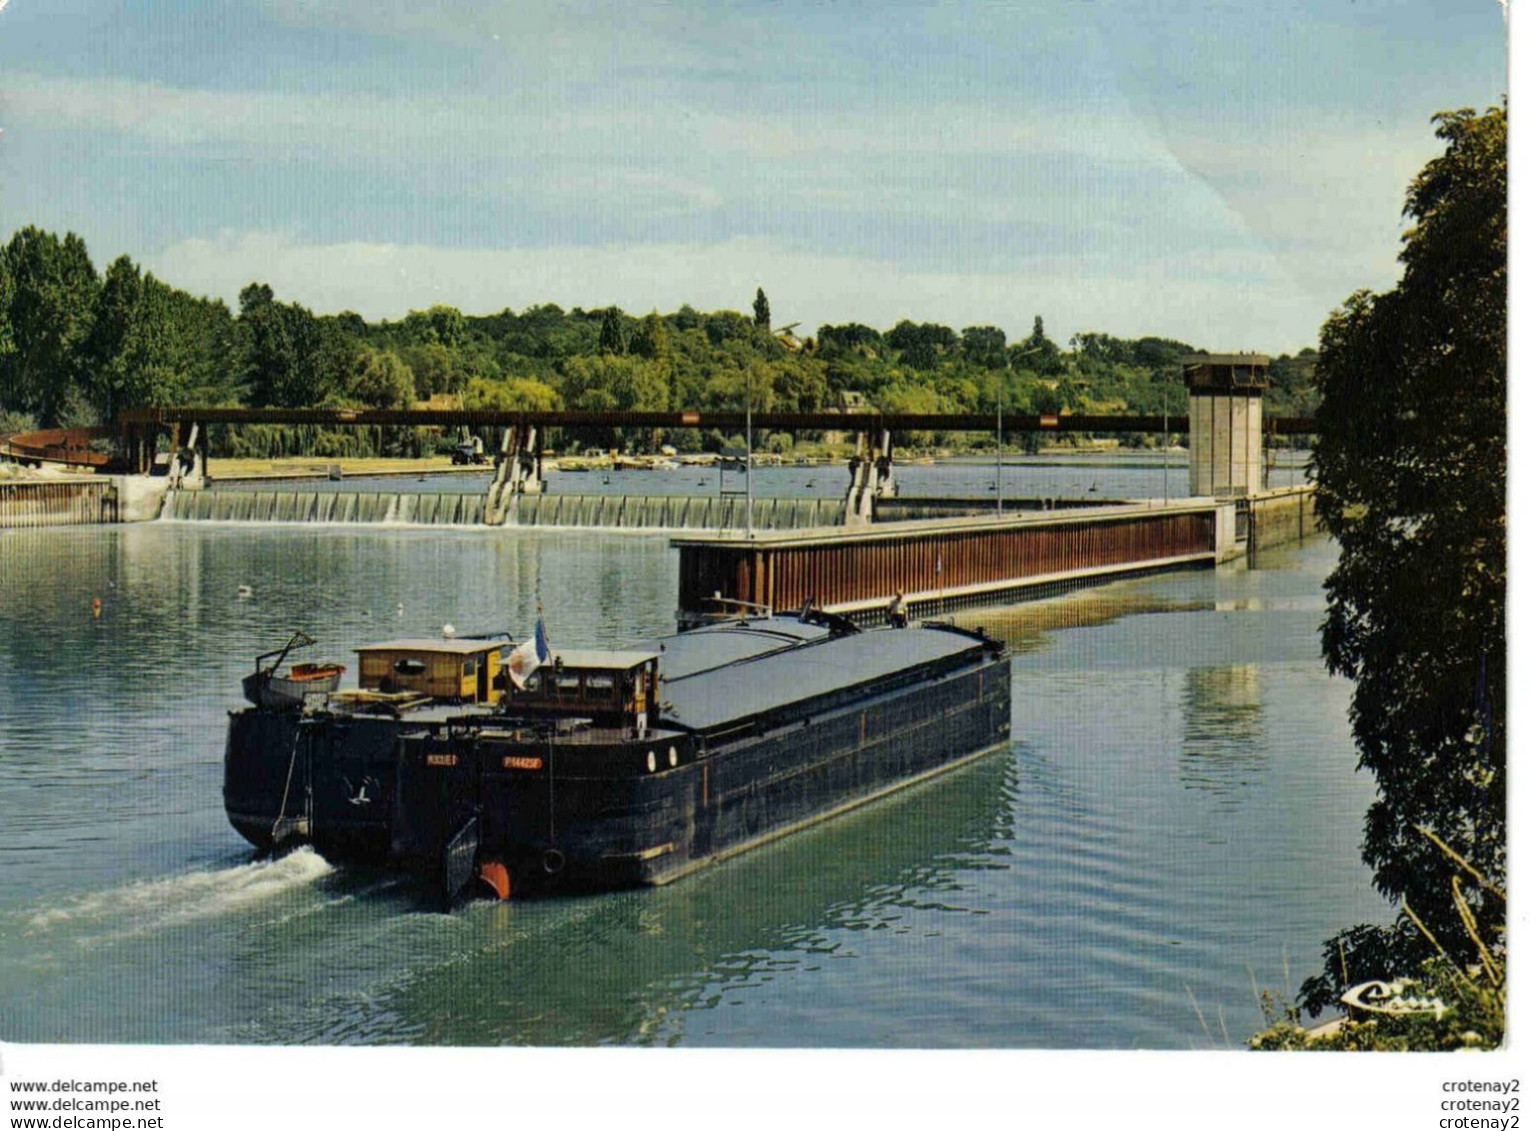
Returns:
<point x="651" y="966"/>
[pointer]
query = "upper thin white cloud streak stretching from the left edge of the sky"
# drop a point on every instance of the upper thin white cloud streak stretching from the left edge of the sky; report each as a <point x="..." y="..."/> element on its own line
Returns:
<point x="663" y="120"/>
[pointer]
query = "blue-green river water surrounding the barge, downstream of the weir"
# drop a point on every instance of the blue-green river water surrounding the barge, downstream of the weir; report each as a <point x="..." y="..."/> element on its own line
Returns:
<point x="1174" y="824"/>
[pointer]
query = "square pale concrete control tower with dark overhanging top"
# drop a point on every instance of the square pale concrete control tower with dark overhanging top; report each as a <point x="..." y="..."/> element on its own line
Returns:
<point x="1226" y="422"/>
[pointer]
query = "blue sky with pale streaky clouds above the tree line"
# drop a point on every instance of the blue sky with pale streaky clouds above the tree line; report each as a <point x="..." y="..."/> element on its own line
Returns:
<point x="1216" y="172"/>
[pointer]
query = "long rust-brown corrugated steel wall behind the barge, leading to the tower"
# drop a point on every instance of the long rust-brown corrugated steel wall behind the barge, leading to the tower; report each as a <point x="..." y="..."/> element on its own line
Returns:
<point x="847" y="570"/>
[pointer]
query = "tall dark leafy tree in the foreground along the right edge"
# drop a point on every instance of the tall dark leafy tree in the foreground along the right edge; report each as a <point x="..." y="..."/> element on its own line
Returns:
<point x="1411" y="481"/>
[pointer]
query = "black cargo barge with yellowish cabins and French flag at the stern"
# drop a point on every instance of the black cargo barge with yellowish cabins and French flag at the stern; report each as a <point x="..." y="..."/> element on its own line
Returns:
<point x="500" y="768"/>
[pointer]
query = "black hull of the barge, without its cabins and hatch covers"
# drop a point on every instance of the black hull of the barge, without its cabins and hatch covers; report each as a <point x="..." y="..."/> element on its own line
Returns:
<point x="604" y="809"/>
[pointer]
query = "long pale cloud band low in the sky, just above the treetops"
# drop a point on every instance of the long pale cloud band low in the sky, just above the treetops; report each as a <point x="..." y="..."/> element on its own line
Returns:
<point x="1219" y="302"/>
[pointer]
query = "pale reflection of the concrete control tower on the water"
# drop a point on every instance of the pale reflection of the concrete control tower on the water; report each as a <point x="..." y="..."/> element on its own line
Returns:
<point x="1225" y="740"/>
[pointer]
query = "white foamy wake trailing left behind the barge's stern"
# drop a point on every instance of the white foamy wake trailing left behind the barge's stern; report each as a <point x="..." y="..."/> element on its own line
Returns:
<point x="148" y="905"/>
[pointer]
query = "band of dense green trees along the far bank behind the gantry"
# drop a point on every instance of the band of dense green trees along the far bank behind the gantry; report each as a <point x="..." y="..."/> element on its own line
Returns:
<point x="77" y="348"/>
